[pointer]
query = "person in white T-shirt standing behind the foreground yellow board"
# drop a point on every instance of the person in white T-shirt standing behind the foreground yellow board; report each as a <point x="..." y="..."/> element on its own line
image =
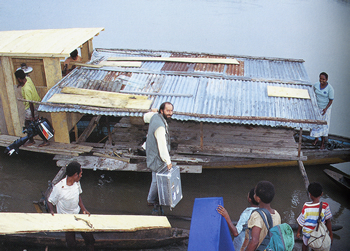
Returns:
<point x="66" y="196"/>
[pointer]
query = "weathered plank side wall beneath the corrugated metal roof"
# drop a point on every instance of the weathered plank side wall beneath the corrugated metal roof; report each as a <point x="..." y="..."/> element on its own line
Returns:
<point x="218" y="139"/>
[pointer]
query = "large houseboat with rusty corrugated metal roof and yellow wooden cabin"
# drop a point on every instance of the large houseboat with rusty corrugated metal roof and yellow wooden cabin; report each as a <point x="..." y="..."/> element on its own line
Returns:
<point x="253" y="126"/>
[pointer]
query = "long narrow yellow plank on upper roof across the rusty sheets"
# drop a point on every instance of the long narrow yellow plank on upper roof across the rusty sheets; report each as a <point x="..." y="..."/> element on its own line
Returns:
<point x="180" y="60"/>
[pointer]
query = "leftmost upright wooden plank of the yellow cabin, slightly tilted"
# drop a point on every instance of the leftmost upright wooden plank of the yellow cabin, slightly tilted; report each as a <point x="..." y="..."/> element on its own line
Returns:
<point x="8" y="97"/>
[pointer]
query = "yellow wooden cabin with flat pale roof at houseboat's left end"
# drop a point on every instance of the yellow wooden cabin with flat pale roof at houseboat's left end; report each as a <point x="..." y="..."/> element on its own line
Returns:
<point x="43" y="50"/>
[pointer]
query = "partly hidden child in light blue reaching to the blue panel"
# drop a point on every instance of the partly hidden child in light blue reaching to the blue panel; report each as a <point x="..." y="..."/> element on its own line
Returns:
<point x="238" y="231"/>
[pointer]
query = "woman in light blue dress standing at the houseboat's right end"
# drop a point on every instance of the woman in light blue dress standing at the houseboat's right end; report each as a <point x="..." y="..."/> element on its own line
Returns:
<point x="324" y="96"/>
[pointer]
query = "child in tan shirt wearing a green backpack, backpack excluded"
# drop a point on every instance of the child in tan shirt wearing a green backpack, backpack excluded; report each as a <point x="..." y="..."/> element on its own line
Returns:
<point x="264" y="193"/>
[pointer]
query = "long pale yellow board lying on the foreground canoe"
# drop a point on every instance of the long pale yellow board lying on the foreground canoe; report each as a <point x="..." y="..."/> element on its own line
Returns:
<point x="12" y="223"/>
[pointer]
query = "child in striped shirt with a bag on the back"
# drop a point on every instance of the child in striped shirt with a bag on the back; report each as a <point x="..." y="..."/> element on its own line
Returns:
<point x="310" y="213"/>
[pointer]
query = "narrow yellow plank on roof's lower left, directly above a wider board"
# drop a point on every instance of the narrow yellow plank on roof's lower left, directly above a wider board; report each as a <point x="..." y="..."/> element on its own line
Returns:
<point x="88" y="92"/>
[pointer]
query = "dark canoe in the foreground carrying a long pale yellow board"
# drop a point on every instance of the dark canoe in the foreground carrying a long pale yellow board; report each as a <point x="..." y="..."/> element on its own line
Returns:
<point x="110" y="231"/>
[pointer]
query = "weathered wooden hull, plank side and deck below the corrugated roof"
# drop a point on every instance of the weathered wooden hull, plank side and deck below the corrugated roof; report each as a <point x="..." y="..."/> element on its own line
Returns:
<point x="194" y="146"/>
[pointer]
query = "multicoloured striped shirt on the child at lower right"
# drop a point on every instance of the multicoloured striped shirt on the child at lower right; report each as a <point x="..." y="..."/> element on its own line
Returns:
<point x="309" y="215"/>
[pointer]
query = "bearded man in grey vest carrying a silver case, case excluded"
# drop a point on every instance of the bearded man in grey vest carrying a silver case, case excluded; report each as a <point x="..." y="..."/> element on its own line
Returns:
<point x="157" y="148"/>
